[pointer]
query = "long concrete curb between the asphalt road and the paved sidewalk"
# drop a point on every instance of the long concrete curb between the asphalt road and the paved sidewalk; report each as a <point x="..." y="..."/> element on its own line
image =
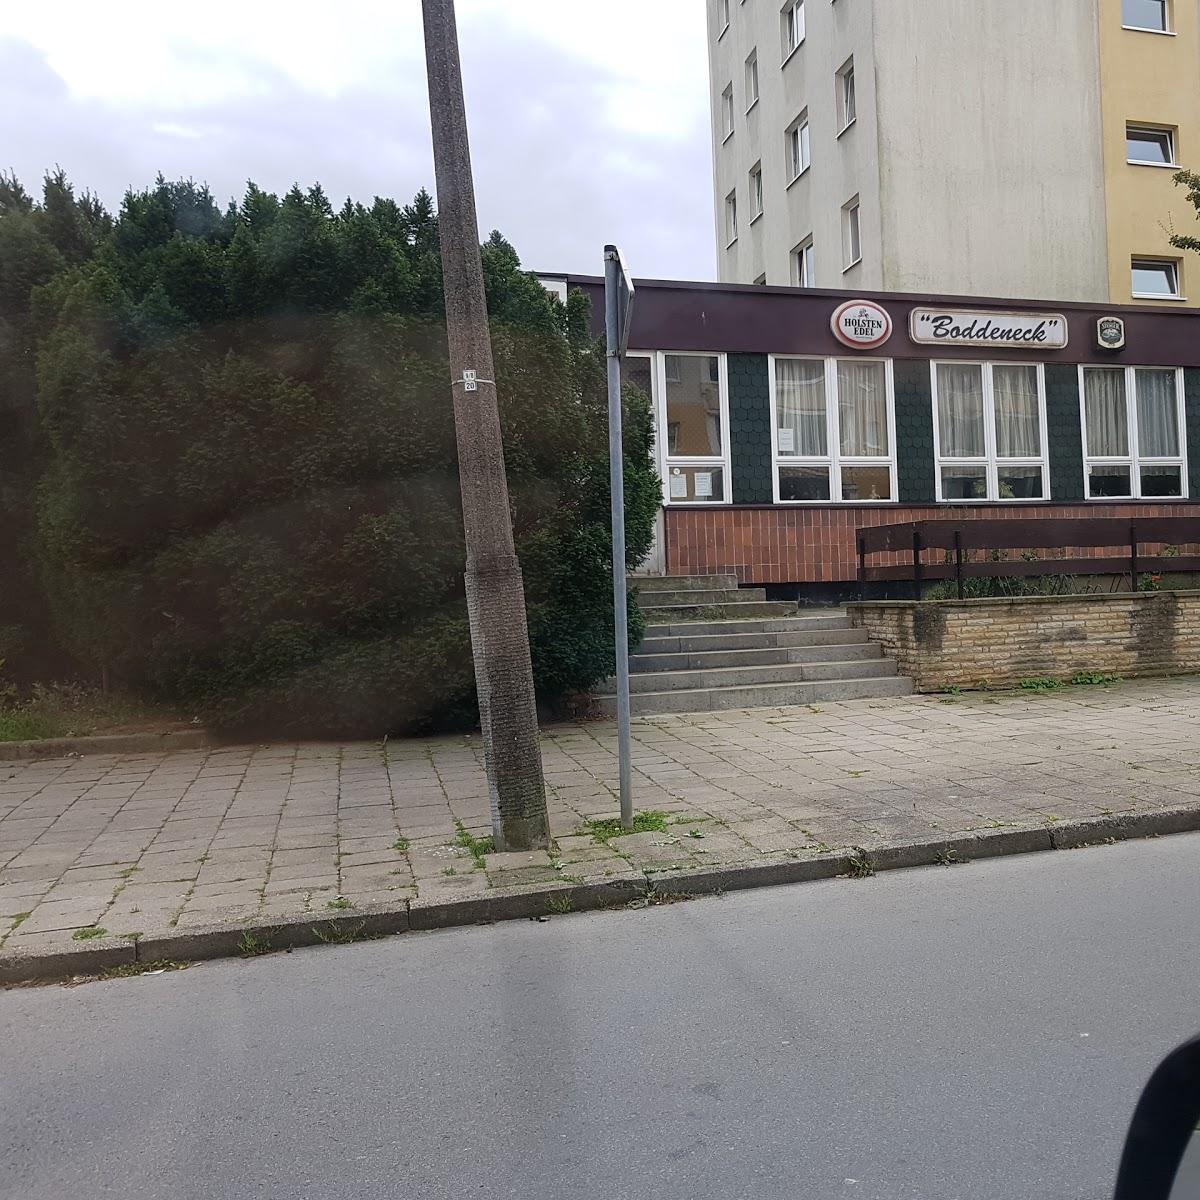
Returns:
<point x="266" y="937"/>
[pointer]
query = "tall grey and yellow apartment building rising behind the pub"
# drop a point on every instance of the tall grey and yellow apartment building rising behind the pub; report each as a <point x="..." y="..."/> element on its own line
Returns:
<point x="1017" y="149"/>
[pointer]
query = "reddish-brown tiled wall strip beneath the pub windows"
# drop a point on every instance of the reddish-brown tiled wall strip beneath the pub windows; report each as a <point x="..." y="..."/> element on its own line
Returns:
<point x="817" y="544"/>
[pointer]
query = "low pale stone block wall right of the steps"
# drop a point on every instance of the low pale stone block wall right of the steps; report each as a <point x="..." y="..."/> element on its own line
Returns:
<point x="1000" y="643"/>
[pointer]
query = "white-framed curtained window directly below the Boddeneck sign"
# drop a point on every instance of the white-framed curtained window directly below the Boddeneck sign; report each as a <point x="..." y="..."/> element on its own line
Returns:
<point x="991" y="431"/>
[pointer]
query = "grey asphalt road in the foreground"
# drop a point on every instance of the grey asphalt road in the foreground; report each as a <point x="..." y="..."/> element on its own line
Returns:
<point x="979" y="1031"/>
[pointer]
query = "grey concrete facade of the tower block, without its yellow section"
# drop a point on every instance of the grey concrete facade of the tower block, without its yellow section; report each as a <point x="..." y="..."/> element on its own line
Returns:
<point x="976" y="151"/>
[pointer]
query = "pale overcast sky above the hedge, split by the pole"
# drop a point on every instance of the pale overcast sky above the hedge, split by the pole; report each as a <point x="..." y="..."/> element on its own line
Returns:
<point x="574" y="145"/>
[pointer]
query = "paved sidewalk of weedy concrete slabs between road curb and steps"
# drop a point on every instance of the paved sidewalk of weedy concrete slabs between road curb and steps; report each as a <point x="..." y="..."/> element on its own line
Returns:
<point x="167" y="843"/>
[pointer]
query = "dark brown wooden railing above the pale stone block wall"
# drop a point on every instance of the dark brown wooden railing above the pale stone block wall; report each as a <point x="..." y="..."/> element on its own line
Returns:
<point x="959" y="541"/>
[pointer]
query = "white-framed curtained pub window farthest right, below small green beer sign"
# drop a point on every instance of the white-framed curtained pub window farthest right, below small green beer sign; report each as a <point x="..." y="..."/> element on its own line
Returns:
<point x="1133" y="448"/>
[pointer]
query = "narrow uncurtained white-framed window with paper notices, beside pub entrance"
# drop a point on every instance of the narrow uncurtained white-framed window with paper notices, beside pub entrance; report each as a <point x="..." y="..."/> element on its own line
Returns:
<point x="695" y="418"/>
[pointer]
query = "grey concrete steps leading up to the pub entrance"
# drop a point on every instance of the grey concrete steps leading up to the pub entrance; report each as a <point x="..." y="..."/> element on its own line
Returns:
<point x="711" y="646"/>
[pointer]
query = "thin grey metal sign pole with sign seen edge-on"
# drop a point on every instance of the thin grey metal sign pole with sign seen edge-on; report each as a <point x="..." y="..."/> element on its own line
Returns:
<point x="619" y="303"/>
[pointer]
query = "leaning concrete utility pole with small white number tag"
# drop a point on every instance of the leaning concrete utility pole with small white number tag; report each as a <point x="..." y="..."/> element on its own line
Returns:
<point x="500" y="633"/>
